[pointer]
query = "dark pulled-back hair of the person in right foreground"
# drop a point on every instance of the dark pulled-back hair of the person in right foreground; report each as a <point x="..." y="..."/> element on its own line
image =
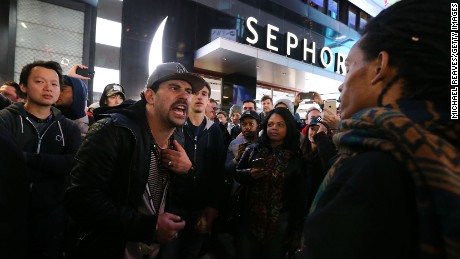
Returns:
<point x="416" y="35"/>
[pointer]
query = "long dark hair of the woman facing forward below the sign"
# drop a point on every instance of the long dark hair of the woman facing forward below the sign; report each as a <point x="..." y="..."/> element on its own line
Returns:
<point x="292" y="139"/>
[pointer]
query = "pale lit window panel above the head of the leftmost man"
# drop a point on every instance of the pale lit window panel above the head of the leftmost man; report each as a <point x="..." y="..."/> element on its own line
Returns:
<point x="48" y="32"/>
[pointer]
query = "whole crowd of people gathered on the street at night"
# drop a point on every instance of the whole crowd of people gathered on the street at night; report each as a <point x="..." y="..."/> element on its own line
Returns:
<point x="170" y="176"/>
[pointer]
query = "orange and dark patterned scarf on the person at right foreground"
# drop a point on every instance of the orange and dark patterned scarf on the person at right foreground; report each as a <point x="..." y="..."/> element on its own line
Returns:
<point x="427" y="143"/>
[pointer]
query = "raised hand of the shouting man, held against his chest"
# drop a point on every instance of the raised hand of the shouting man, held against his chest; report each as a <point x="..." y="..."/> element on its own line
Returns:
<point x="177" y="160"/>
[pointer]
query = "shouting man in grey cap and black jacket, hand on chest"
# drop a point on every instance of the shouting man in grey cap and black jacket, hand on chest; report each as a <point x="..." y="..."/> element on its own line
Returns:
<point x="138" y="145"/>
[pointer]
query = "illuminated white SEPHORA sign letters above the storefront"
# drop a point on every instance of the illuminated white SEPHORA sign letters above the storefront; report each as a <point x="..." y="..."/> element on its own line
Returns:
<point x="292" y="47"/>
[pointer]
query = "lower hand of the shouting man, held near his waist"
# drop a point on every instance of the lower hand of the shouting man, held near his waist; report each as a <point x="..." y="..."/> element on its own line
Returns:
<point x="168" y="226"/>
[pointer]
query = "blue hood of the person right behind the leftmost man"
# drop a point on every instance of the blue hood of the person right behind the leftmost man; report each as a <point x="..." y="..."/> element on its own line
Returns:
<point x="77" y="109"/>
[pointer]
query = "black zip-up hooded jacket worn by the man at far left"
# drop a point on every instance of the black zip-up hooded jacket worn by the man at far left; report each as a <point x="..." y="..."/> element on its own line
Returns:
<point x="48" y="155"/>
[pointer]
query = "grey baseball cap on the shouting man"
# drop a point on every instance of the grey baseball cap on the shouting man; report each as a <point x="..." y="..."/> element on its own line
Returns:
<point x="175" y="71"/>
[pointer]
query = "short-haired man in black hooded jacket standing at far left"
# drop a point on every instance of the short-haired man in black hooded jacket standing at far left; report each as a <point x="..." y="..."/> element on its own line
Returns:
<point x="48" y="142"/>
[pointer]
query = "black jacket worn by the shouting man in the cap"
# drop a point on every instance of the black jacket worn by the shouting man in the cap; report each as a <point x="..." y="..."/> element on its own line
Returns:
<point x="107" y="184"/>
